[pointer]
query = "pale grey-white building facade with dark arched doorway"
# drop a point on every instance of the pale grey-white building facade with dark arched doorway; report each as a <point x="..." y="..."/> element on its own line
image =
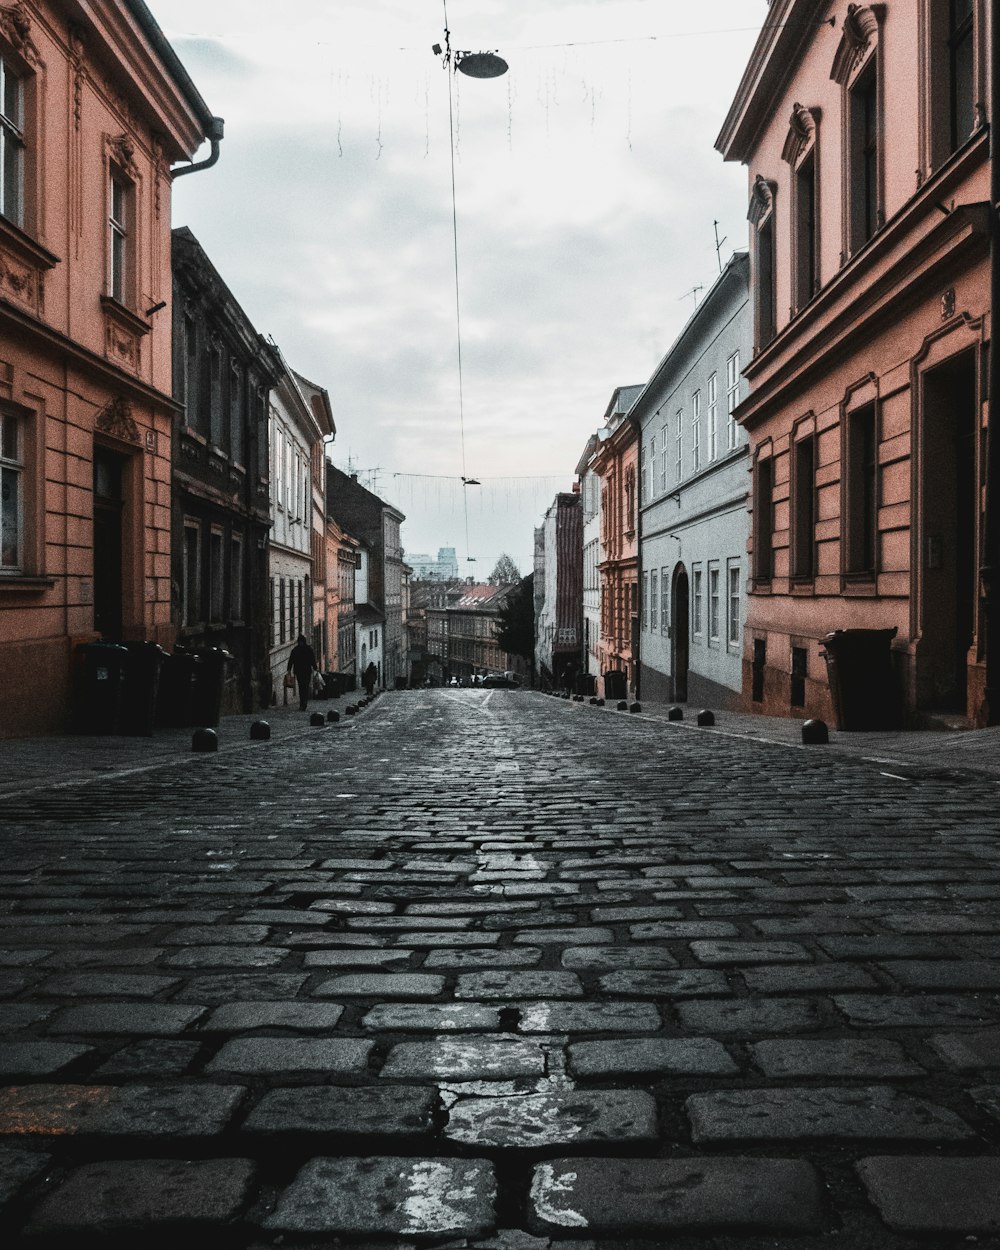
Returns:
<point x="694" y="504"/>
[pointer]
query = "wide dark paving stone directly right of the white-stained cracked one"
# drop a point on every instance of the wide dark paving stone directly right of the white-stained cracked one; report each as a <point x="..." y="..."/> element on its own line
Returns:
<point x="873" y="1112"/>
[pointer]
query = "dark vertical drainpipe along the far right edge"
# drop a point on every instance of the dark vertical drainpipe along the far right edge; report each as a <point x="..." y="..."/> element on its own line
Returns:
<point x="991" y="569"/>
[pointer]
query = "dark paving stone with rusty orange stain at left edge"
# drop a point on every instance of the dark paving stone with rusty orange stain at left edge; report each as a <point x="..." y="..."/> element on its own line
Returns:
<point x="166" y="1111"/>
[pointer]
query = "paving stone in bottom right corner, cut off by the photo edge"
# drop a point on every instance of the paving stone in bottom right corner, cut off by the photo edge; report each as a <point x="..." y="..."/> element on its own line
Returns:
<point x="928" y="1197"/>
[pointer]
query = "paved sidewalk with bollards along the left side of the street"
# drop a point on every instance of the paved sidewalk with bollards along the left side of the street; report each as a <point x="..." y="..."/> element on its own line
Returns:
<point x="31" y="763"/>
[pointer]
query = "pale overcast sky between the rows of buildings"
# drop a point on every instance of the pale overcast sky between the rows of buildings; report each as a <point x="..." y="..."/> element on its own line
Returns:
<point x="587" y="188"/>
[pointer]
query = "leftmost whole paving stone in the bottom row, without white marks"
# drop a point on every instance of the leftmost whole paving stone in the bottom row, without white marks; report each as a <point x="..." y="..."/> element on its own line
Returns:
<point x="144" y="1197"/>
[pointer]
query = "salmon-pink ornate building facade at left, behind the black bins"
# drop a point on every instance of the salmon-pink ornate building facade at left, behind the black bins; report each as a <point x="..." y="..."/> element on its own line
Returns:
<point x="96" y="111"/>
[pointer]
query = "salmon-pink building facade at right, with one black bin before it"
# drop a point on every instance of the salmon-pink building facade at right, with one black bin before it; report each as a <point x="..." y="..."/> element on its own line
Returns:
<point x="863" y="131"/>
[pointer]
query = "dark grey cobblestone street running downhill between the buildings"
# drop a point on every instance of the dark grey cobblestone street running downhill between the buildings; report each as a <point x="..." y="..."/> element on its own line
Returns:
<point x="486" y="969"/>
